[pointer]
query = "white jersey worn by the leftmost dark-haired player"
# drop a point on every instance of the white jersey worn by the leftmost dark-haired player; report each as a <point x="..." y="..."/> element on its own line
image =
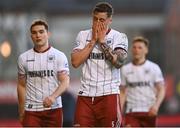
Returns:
<point x="41" y="70"/>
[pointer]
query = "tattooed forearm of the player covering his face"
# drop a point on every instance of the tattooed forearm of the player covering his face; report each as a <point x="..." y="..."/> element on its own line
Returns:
<point x="117" y="57"/>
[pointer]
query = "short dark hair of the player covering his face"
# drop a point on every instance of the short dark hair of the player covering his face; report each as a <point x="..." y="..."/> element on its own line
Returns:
<point x="103" y="7"/>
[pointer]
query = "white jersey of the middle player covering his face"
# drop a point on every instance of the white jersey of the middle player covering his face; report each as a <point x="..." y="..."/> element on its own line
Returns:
<point x="99" y="77"/>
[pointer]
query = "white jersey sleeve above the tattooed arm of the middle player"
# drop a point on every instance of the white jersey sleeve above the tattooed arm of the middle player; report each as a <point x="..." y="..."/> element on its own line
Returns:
<point x="121" y="41"/>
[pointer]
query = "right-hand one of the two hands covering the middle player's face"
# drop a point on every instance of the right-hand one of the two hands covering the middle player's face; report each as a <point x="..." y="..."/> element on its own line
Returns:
<point x="102" y="29"/>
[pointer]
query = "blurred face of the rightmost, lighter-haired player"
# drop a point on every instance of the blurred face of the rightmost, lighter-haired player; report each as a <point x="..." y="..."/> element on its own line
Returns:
<point x="139" y="50"/>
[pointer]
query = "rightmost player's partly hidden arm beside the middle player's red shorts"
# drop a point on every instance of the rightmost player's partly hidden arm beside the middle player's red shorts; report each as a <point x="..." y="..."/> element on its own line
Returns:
<point x="122" y="96"/>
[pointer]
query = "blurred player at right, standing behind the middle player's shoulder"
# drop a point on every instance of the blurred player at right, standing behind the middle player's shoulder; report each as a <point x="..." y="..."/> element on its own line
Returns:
<point x="142" y="87"/>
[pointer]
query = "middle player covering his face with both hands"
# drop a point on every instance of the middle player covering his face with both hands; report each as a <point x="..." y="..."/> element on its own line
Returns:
<point x="102" y="51"/>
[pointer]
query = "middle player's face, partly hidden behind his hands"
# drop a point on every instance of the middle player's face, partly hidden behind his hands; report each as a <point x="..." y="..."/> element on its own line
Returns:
<point x="102" y="17"/>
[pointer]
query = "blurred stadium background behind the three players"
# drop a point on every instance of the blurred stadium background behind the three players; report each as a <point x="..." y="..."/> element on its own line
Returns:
<point x="158" y="20"/>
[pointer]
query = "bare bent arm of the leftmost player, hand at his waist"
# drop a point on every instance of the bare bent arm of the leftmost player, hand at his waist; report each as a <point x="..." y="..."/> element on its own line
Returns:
<point x="63" y="77"/>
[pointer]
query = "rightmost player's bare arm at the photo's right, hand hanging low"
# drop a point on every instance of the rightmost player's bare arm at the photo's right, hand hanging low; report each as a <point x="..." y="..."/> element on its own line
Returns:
<point x="160" y="94"/>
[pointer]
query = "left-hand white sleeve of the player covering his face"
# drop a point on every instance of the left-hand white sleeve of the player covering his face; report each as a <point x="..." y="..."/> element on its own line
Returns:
<point x="79" y="43"/>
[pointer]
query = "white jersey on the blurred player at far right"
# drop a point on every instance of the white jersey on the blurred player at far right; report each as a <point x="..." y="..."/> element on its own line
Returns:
<point x="140" y="82"/>
